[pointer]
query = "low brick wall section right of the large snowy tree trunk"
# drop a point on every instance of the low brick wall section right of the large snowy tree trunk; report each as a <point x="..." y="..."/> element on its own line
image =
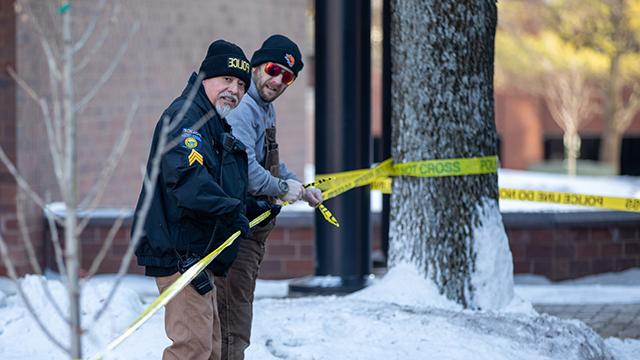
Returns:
<point x="565" y="246"/>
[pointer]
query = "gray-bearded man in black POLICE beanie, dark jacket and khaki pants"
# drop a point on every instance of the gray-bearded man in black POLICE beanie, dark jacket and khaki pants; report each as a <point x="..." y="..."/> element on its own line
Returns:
<point x="199" y="199"/>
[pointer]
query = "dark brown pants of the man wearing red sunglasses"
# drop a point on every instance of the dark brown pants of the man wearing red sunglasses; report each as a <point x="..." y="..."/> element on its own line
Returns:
<point x="235" y="293"/>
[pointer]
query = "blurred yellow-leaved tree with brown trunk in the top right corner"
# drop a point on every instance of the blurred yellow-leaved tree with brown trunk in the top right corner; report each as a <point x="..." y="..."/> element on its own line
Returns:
<point x="611" y="28"/>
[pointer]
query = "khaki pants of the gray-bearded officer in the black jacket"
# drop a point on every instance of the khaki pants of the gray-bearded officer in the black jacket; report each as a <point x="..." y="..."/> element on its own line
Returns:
<point x="192" y="322"/>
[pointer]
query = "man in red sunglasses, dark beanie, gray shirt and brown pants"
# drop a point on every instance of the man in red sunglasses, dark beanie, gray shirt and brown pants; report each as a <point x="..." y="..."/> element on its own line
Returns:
<point x="275" y="67"/>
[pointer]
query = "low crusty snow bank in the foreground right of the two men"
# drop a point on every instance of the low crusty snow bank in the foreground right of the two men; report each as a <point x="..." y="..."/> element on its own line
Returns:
<point x="352" y="328"/>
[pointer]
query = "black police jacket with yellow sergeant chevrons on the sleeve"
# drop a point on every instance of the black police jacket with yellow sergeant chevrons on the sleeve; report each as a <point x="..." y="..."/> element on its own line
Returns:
<point x="202" y="186"/>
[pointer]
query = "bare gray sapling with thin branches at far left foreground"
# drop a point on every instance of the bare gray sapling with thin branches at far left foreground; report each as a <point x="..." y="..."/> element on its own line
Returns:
<point x="60" y="108"/>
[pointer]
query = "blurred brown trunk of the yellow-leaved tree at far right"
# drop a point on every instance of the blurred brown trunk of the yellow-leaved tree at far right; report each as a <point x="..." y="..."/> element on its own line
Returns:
<point x="611" y="137"/>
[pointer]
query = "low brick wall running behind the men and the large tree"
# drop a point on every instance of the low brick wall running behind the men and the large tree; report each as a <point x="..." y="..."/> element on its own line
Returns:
<point x="558" y="246"/>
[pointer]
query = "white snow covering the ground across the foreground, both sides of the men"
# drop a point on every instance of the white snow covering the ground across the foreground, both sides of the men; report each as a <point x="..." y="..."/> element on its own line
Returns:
<point x="400" y="316"/>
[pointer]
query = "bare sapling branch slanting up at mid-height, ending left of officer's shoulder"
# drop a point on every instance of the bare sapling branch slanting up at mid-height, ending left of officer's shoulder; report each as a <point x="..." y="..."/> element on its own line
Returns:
<point x="94" y="196"/>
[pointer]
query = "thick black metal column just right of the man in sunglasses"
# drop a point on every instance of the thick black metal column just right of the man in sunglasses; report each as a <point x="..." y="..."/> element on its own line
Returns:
<point x="343" y="137"/>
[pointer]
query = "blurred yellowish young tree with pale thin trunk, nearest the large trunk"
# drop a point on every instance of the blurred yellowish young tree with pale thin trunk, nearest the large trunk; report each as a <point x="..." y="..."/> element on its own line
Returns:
<point x="534" y="60"/>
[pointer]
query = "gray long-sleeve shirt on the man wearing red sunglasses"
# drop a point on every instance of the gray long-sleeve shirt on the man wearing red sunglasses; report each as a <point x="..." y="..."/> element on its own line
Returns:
<point x="249" y="121"/>
